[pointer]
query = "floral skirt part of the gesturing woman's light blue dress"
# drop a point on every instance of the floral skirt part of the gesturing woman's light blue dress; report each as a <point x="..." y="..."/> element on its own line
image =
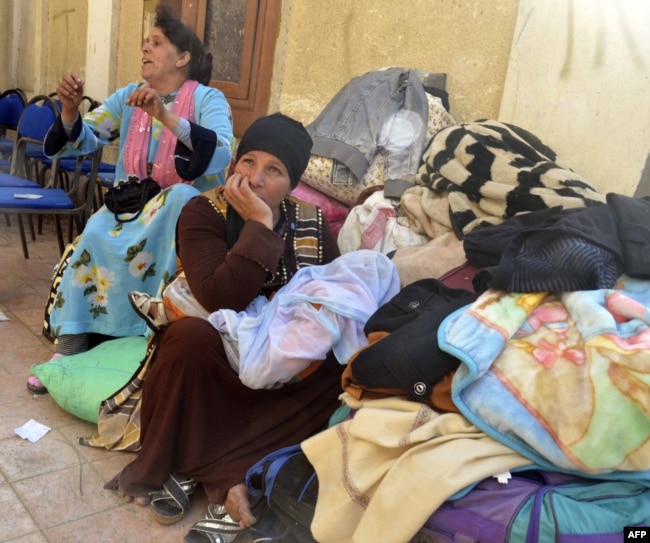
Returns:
<point x="112" y="258"/>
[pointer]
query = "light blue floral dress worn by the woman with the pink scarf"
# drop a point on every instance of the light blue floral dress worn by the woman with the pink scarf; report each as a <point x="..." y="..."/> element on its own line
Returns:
<point x="111" y="258"/>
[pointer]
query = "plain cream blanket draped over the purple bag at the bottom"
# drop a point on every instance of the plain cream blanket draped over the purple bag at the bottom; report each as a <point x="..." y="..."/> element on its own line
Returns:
<point x="385" y="471"/>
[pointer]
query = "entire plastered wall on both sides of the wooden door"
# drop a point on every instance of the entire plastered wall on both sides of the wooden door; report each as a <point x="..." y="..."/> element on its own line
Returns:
<point x="574" y="73"/>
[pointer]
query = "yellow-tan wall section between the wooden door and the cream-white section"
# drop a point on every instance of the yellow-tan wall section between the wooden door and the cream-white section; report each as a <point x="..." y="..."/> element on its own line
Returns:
<point x="468" y="39"/>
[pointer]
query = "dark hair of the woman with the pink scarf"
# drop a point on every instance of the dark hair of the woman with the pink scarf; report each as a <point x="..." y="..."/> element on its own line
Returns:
<point x="184" y="38"/>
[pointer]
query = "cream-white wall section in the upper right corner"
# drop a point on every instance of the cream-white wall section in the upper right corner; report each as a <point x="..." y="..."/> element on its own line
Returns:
<point x="586" y="93"/>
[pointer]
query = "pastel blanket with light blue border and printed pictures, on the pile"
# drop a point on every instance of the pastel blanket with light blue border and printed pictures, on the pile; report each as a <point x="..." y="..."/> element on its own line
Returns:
<point x="564" y="379"/>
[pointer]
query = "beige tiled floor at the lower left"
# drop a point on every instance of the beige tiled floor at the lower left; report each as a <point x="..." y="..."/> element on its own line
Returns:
<point x="51" y="490"/>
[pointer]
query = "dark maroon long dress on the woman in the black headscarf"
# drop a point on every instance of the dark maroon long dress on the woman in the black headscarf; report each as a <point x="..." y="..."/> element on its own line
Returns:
<point x="197" y="418"/>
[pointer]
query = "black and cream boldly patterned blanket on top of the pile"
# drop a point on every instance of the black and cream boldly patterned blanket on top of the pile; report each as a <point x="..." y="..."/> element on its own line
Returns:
<point x="491" y="171"/>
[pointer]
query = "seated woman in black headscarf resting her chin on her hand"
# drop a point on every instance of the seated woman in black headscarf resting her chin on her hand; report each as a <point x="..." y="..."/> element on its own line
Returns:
<point x="199" y="423"/>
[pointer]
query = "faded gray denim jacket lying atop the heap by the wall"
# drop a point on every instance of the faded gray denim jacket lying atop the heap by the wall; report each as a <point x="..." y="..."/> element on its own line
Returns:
<point x="384" y="111"/>
